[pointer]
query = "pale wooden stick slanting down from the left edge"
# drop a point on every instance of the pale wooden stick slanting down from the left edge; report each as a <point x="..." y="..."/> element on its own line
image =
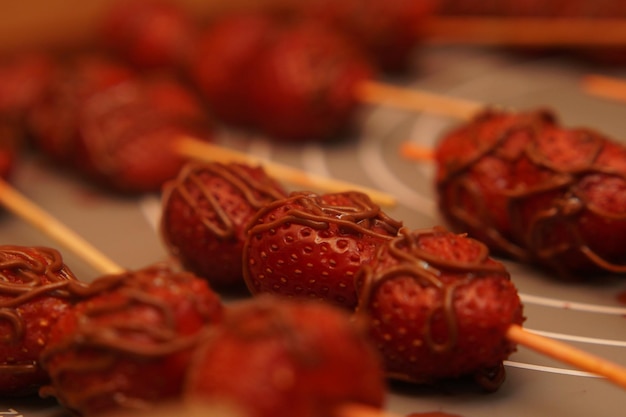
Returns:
<point x="31" y="213"/>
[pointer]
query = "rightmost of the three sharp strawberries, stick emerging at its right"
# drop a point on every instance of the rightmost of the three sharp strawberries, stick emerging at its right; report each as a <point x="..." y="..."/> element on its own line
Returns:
<point x="440" y="307"/>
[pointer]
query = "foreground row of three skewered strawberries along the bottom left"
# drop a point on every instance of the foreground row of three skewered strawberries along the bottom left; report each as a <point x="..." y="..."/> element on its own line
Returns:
<point x="135" y="340"/>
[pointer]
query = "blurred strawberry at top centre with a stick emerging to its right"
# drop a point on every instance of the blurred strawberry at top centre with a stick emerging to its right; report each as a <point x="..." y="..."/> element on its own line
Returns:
<point x="303" y="87"/>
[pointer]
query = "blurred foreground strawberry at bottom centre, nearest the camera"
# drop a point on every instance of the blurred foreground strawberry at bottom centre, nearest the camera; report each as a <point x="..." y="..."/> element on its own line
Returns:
<point x="276" y="357"/>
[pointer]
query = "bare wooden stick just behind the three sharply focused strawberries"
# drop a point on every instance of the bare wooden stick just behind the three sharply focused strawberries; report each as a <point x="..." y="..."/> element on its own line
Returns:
<point x="195" y="149"/>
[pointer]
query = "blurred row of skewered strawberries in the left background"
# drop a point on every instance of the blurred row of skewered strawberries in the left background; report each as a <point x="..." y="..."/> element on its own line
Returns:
<point x="96" y="116"/>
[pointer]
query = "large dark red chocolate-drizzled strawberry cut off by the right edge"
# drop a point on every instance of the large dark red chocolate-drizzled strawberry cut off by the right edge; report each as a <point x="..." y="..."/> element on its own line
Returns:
<point x="536" y="191"/>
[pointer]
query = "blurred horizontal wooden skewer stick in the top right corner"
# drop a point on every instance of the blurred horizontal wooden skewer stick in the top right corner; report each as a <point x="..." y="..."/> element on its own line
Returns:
<point x="523" y="31"/>
